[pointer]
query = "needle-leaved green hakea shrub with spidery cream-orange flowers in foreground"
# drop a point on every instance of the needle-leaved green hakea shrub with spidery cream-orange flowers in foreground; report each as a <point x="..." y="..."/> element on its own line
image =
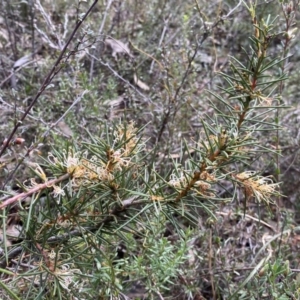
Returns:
<point x="89" y="198"/>
